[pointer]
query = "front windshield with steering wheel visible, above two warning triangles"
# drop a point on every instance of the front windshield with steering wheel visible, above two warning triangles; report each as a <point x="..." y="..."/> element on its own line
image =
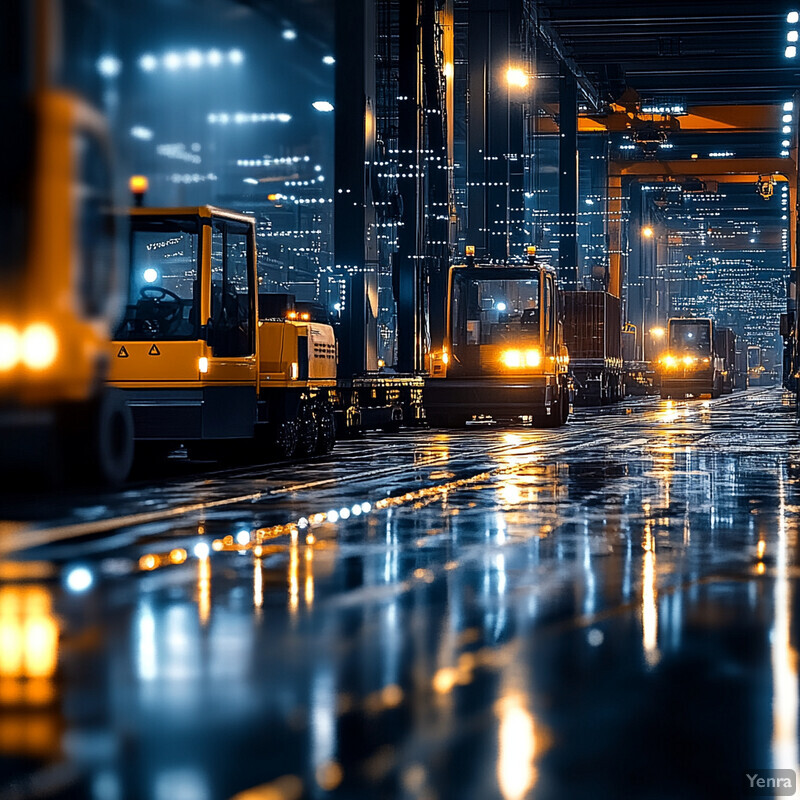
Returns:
<point x="163" y="293"/>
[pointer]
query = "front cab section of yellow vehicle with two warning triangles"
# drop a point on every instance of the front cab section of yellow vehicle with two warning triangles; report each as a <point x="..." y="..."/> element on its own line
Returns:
<point x="186" y="347"/>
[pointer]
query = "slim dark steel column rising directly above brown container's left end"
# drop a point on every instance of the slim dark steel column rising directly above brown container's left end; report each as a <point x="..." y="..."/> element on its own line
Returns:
<point x="568" y="266"/>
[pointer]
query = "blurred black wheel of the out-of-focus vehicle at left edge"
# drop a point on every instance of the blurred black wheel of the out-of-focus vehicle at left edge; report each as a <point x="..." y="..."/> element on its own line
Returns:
<point x="98" y="441"/>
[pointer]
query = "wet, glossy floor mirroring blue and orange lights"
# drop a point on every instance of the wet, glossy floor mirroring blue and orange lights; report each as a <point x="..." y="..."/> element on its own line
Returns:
<point x="605" y="612"/>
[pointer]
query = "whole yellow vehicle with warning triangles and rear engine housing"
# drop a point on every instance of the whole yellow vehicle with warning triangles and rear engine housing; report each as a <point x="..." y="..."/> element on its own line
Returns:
<point x="197" y="362"/>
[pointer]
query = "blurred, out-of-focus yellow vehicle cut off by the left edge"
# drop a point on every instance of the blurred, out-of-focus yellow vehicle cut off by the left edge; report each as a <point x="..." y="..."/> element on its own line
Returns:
<point x="59" y="267"/>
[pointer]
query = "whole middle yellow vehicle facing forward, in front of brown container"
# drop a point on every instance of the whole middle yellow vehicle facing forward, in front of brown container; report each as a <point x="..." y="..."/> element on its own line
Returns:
<point x="504" y="355"/>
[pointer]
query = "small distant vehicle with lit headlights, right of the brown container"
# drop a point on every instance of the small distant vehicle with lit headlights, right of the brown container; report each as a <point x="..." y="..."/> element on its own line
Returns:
<point x="690" y="364"/>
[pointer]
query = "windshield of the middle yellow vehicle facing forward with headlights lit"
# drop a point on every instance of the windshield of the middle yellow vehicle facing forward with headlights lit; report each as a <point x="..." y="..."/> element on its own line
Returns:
<point x="486" y="311"/>
